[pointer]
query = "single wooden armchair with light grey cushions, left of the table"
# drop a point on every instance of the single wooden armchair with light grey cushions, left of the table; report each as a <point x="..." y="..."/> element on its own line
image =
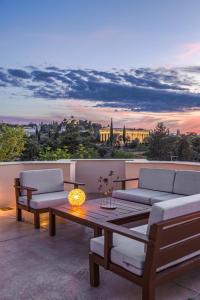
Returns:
<point x="37" y="190"/>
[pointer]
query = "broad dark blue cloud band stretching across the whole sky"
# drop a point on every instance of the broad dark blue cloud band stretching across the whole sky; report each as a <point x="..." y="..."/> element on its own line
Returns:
<point x="143" y="89"/>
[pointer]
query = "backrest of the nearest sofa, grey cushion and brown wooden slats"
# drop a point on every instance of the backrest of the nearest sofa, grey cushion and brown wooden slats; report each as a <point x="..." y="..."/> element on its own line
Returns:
<point x="178" y="237"/>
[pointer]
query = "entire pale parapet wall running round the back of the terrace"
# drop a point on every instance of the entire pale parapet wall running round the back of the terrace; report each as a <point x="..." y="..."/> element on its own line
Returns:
<point x="83" y="170"/>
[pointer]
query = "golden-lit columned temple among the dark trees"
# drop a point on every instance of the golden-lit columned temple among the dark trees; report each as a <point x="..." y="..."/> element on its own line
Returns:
<point x="131" y="134"/>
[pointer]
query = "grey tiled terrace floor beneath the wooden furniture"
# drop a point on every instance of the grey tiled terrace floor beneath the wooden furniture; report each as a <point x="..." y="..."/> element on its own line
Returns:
<point x="36" y="266"/>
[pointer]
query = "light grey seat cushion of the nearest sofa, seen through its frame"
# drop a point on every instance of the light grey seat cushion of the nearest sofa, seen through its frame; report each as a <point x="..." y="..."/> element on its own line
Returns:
<point x="130" y="254"/>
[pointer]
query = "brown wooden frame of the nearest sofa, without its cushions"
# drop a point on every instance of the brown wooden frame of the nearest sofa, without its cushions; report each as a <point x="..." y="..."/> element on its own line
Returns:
<point x="166" y="243"/>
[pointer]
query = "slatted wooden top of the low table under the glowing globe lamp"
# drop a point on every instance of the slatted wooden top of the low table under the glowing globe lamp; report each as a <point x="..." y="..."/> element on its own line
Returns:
<point x="92" y="212"/>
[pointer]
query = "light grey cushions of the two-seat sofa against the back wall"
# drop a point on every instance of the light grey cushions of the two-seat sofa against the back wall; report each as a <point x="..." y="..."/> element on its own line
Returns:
<point x="155" y="185"/>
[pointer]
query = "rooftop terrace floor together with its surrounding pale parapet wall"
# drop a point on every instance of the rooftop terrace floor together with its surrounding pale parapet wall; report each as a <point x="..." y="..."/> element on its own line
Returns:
<point x="34" y="265"/>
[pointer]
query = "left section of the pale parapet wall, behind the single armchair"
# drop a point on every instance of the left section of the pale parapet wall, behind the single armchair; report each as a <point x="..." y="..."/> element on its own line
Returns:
<point x="9" y="171"/>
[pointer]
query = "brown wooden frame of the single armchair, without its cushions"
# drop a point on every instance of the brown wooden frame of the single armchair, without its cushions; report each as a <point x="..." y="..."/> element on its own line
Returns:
<point x="36" y="212"/>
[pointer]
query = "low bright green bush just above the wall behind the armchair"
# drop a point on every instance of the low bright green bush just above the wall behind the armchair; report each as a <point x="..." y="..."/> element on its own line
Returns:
<point x="50" y="154"/>
